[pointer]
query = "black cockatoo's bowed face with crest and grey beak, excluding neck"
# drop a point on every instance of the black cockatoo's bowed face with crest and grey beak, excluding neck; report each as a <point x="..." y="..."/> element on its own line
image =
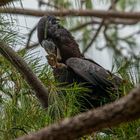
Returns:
<point x="45" y="29"/>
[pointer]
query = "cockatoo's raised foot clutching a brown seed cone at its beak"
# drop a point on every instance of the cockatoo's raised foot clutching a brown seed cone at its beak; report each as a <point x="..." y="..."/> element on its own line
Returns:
<point x="52" y="60"/>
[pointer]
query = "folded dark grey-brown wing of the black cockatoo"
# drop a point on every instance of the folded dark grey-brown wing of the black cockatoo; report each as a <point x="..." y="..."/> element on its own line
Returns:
<point x="90" y="71"/>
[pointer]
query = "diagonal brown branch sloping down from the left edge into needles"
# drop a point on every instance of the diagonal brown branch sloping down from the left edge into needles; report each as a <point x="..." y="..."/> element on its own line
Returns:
<point x="22" y="67"/>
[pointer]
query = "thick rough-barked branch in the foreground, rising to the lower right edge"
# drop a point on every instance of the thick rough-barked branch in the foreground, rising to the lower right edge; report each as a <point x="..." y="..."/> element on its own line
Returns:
<point x="123" y="110"/>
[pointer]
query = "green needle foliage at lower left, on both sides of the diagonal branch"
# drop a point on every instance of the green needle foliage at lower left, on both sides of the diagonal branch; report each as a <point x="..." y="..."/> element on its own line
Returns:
<point x="21" y="111"/>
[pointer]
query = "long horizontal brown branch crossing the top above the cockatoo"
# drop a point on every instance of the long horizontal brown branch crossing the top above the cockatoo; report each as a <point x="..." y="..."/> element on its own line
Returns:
<point x="73" y="12"/>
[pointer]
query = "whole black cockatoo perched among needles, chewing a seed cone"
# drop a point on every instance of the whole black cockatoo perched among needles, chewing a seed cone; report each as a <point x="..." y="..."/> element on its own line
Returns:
<point x="69" y="65"/>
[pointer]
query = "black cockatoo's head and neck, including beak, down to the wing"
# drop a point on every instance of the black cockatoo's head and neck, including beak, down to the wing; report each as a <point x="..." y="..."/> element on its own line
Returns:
<point x="58" y="39"/>
